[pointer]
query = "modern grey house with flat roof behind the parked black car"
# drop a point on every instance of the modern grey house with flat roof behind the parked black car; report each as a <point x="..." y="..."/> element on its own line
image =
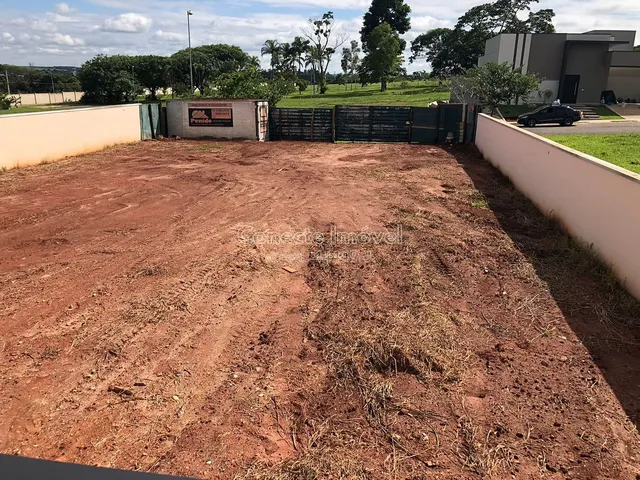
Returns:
<point x="577" y="68"/>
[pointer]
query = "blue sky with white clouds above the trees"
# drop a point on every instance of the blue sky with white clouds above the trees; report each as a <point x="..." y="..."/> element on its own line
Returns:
<point x="42" y="32"/>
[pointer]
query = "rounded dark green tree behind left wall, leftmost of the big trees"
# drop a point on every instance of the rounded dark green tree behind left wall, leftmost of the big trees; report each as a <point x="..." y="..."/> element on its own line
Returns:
<point x="108" y="80"/>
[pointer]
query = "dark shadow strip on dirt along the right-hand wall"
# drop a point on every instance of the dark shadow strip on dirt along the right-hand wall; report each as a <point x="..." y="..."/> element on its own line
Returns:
<point x="600" y="312"/>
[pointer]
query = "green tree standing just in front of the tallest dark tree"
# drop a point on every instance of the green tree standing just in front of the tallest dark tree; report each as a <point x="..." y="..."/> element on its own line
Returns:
<point x="383" y="58"/>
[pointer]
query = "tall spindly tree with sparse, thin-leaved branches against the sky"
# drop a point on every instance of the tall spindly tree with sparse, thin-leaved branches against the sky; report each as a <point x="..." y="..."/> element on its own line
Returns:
<point x="324" y="41"/>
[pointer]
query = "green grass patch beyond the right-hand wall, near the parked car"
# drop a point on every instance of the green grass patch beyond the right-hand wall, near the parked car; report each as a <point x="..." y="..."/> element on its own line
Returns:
<point x="621" y="149"/>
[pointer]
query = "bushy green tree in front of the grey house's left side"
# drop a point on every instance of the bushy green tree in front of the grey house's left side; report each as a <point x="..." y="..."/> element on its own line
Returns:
<point x="495" y="84"/>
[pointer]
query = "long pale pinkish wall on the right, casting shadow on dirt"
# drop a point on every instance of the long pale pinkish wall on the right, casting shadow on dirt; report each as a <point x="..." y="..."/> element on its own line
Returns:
<point x="595" y="201"/>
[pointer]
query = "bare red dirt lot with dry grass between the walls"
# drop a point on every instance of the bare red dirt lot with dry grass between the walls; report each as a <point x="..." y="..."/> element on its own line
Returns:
<point x="149" y="323"/>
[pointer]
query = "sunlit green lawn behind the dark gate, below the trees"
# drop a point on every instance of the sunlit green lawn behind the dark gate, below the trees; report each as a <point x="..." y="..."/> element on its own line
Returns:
<point x="414" y="93"/>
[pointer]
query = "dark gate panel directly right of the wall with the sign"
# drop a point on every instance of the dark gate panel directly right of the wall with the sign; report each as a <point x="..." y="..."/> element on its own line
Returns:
<point x="311" y="124"/>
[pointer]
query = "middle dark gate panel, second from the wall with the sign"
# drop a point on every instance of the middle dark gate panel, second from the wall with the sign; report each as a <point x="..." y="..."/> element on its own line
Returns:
<point x="372" y="124"/>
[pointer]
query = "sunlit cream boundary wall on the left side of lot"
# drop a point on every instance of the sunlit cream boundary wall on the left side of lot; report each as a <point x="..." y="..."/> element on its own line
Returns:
<point x="30" y="138"/>
